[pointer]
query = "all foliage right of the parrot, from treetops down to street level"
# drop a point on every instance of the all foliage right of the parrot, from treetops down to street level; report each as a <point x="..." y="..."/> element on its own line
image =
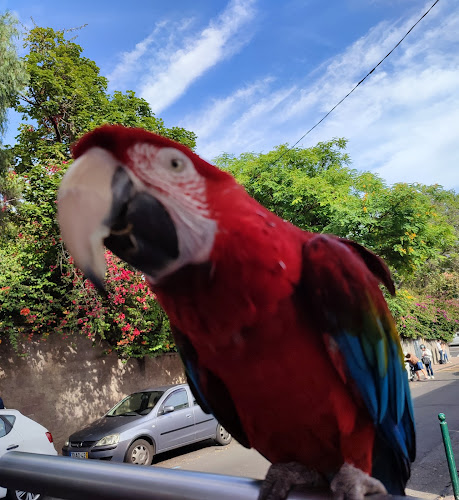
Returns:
<point x="415" y="228"/>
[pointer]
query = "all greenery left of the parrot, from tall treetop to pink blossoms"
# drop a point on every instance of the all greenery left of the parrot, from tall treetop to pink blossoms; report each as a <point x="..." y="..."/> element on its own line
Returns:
<point x="40" y="290"/>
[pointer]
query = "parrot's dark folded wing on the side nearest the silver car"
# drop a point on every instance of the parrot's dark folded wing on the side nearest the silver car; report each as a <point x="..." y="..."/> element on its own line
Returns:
<point x="210" y="392"/>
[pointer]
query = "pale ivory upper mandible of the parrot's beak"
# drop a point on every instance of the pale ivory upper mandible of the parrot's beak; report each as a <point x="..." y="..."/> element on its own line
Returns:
<point x="84" y="202"/>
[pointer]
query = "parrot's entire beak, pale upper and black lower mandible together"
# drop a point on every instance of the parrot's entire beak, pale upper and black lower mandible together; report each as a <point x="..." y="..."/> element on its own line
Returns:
<point x="98" y="204"/>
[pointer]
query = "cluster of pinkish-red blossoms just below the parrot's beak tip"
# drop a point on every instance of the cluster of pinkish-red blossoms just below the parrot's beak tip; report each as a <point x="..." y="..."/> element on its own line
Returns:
<point x="129" y="318"/>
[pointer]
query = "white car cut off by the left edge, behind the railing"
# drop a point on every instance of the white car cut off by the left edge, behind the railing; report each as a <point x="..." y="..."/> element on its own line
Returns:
<point x="20" y="433"/>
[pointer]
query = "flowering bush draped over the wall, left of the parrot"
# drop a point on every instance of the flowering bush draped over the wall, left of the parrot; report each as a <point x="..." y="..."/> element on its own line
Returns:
<point x="42" y="293"/>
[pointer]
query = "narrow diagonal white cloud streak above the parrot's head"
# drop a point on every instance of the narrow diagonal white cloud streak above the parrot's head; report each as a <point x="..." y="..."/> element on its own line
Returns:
<point x="166" y="82"/>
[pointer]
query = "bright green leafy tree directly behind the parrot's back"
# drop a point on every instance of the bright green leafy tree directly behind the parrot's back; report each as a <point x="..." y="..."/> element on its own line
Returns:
<point x="315" y="189"/>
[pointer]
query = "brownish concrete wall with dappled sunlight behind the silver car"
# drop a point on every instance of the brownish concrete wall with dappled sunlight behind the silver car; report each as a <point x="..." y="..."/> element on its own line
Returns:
<point x="65" y="386"/>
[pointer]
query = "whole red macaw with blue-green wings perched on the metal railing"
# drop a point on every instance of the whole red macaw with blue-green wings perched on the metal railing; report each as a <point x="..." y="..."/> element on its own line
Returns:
<point x="285" y="335"/>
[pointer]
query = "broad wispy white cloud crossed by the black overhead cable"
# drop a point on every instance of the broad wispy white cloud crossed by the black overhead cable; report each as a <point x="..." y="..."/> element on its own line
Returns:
<point x="401" y="122"/>
